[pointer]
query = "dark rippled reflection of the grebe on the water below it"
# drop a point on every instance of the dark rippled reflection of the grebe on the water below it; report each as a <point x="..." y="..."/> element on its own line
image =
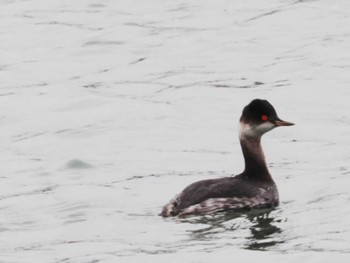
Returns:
<point x="261" y="228"/>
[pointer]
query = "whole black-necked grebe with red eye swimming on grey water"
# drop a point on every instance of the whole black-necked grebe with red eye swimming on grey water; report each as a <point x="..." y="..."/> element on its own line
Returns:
<point x="254" y="188"/>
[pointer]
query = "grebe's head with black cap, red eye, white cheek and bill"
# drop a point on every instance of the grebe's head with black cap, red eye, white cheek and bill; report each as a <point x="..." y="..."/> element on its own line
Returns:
<point x="259" y="116"/>
